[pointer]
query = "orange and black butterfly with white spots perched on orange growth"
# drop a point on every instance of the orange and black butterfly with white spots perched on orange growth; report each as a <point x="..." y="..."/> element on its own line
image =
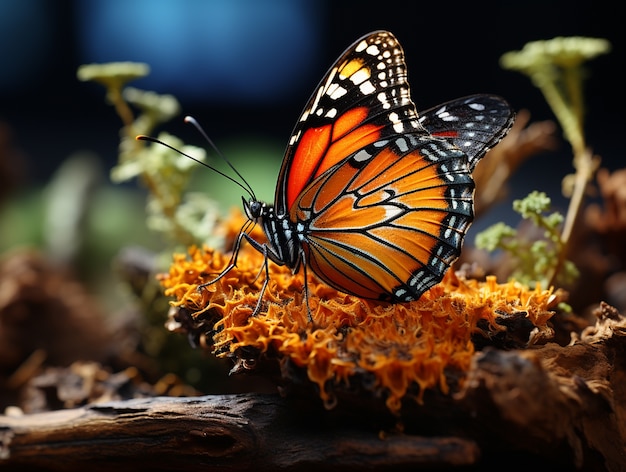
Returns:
<point x="373" y="198"/>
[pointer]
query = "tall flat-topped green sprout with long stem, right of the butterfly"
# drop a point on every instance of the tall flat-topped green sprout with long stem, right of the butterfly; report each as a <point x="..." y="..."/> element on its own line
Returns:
<point x="556" y="67"/>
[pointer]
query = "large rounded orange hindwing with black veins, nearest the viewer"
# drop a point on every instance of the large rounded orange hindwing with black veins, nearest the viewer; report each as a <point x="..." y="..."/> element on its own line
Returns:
<point x="387" y="223"/>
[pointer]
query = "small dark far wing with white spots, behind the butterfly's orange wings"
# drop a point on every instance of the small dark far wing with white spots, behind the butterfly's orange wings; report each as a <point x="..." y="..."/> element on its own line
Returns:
<point x="475" y="123"/>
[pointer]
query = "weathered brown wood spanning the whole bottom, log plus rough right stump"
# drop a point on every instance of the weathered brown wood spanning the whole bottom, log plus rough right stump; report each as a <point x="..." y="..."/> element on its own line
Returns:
<point x="561" y="406"/>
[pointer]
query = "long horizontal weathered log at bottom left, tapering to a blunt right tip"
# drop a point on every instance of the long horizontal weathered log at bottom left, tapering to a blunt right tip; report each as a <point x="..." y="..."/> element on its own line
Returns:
<point x="210" y="433"/>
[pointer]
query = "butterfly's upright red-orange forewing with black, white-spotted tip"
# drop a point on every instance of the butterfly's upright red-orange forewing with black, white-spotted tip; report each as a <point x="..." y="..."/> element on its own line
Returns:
<point x="362" y="98"/>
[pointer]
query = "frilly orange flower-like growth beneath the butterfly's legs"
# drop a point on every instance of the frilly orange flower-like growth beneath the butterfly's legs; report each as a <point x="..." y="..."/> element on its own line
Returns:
<point x="401" y="349"/>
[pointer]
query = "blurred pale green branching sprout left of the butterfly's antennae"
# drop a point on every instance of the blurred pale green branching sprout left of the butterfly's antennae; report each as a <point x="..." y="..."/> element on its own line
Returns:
<point x="184" y="218"/>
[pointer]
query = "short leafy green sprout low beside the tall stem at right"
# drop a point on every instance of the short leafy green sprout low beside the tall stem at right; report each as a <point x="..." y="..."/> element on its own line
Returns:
<point x="535" y="259"/>
